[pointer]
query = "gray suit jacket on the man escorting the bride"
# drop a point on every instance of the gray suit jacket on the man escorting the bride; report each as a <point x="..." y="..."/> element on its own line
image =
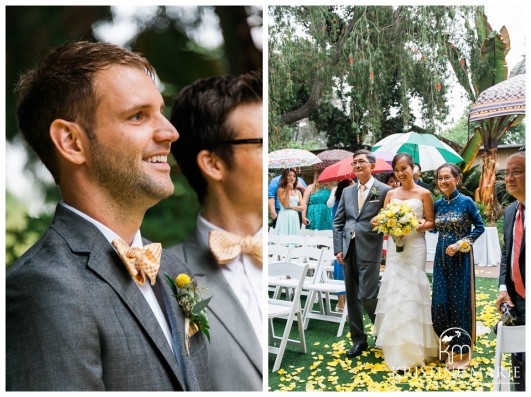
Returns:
<point x="349" y="220"/>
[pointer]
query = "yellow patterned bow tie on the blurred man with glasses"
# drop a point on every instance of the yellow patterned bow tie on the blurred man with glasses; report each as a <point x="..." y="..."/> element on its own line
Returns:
<point x="226" y="246"/>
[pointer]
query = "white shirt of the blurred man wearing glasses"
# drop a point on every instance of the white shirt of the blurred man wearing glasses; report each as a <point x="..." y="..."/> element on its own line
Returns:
<point x="243" y="274"/>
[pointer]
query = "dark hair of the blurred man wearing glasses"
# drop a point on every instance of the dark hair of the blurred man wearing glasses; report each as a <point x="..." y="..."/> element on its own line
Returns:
<point x="200" y="115"/>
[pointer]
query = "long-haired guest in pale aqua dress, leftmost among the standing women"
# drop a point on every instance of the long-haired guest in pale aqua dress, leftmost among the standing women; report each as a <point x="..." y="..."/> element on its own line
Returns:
<point x="290" y="203"/>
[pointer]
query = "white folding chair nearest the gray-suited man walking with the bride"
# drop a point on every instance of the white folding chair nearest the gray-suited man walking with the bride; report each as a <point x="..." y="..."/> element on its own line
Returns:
<point x="321" y="289"/>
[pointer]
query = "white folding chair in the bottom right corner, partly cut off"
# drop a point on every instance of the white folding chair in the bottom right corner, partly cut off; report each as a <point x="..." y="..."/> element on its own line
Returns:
<point x="509" y="339"/>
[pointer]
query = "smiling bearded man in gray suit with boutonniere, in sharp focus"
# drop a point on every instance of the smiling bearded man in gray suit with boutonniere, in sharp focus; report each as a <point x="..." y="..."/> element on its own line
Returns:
<point x="76" y="318"/>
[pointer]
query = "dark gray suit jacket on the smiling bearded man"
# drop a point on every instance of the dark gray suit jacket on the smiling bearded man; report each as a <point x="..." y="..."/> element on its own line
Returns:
<point x="76" y="320"/>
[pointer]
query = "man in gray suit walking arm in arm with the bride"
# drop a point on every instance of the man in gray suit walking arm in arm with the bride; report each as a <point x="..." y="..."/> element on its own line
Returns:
<point x="357" y="247"/>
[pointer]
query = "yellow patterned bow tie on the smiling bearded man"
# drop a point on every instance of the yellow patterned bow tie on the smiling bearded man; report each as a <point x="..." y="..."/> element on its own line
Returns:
<point x="140" y="261"/>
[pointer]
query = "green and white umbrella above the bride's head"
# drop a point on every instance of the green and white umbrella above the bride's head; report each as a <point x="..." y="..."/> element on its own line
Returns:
<point x="426" y="149"/>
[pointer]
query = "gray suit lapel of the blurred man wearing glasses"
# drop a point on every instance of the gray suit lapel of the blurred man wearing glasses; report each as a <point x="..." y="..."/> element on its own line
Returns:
<point x="237" y="325"/>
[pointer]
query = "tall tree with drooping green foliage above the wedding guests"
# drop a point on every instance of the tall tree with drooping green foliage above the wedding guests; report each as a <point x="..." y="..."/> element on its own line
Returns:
<point x="378" y="58"/>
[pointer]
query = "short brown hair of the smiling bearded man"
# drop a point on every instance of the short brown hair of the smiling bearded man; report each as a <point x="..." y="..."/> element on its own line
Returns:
<point x="61" y="86"/>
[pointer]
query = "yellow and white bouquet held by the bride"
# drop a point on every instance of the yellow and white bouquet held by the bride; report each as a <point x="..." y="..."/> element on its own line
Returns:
<point x="397" y="220"/>
